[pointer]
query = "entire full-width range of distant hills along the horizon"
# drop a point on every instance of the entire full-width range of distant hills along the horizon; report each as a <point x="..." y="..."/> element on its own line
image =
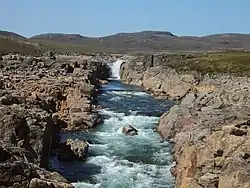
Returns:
<point x="138" y="42"/>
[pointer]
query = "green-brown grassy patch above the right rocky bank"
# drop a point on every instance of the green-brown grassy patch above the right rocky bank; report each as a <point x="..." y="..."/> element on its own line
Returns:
<point x="235" y="63"/>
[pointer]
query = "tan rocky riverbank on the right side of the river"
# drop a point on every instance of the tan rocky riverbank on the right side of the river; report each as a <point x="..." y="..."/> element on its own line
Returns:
<point x="209" y="125"/>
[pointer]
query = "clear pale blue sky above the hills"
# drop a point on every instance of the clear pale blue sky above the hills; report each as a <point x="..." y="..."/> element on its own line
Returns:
<point x="104" y="17"/>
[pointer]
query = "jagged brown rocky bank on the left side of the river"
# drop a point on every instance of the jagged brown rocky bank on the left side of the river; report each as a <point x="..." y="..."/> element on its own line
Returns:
<point x="39" y="97"/>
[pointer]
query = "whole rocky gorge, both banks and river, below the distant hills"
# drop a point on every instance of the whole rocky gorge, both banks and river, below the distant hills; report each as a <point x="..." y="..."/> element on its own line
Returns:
<point x="68" y="114"/>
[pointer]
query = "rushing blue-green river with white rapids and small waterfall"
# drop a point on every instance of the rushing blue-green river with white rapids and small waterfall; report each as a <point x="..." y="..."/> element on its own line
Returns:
<point x="117" y="160"/>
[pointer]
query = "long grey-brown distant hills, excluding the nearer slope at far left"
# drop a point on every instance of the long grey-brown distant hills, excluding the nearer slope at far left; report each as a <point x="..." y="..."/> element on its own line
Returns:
<point x="150" y="41"/>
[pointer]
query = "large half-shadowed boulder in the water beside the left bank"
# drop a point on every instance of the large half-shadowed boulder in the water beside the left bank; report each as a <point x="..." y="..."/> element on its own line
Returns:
<point x="73" y="149"/>
